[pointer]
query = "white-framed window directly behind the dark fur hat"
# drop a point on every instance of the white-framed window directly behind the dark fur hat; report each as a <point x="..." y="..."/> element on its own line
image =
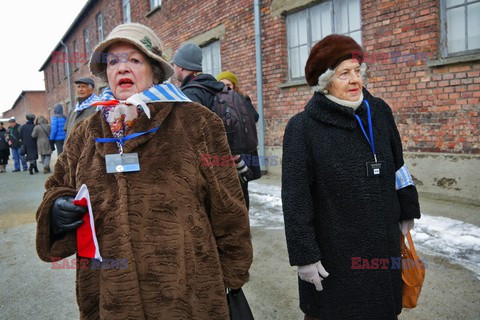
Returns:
<point x="297" y="53"/>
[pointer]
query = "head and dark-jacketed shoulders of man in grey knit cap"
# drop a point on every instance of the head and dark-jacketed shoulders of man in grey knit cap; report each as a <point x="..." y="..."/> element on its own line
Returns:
<point x="188" y="70"/>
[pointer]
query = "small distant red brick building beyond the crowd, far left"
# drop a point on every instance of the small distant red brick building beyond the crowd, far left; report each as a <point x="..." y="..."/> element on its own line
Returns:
<point x="29" y="101"/>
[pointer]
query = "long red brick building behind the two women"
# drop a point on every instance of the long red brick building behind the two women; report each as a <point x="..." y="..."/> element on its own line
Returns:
<point x="423" y="58"/>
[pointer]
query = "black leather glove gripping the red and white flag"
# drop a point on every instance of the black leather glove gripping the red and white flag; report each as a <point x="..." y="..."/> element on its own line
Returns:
<point x="65" y="215"/>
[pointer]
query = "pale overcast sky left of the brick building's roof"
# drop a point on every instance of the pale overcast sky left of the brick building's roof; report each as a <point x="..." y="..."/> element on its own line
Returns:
<point x="30" y="30"/>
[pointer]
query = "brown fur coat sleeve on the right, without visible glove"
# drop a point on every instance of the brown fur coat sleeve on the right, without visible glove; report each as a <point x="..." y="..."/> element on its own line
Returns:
<point x="226" y="206"/>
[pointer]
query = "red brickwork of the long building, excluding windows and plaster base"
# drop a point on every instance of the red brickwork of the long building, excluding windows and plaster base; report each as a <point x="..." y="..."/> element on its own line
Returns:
<point x="436" y="108"/>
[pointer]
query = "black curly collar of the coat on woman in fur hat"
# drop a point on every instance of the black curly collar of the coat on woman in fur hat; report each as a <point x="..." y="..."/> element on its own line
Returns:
<point x="324" y="110"/>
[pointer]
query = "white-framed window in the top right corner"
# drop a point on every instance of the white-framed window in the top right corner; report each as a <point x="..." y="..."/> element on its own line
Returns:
<point x="445" y="8"/>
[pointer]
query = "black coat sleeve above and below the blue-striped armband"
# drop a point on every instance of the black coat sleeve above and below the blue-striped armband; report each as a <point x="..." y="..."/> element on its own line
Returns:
<point x="408" y="196"/>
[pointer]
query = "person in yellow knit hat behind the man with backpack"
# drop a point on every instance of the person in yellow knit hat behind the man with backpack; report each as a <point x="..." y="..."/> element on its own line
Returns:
<point x="251" y="160"/>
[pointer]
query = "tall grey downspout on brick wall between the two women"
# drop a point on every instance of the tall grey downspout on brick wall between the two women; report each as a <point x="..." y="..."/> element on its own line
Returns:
<point x="258" y="63"/>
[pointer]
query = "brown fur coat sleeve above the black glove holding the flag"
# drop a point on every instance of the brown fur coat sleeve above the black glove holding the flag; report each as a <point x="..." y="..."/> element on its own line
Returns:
<point x="61" y="183"/>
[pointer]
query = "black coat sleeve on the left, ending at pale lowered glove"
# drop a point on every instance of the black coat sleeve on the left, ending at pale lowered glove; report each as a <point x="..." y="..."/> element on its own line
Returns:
<point x="297" y="201"/>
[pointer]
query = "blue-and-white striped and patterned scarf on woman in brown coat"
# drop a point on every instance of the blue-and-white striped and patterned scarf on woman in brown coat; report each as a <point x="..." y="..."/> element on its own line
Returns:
<point x="121" y="114"/>
